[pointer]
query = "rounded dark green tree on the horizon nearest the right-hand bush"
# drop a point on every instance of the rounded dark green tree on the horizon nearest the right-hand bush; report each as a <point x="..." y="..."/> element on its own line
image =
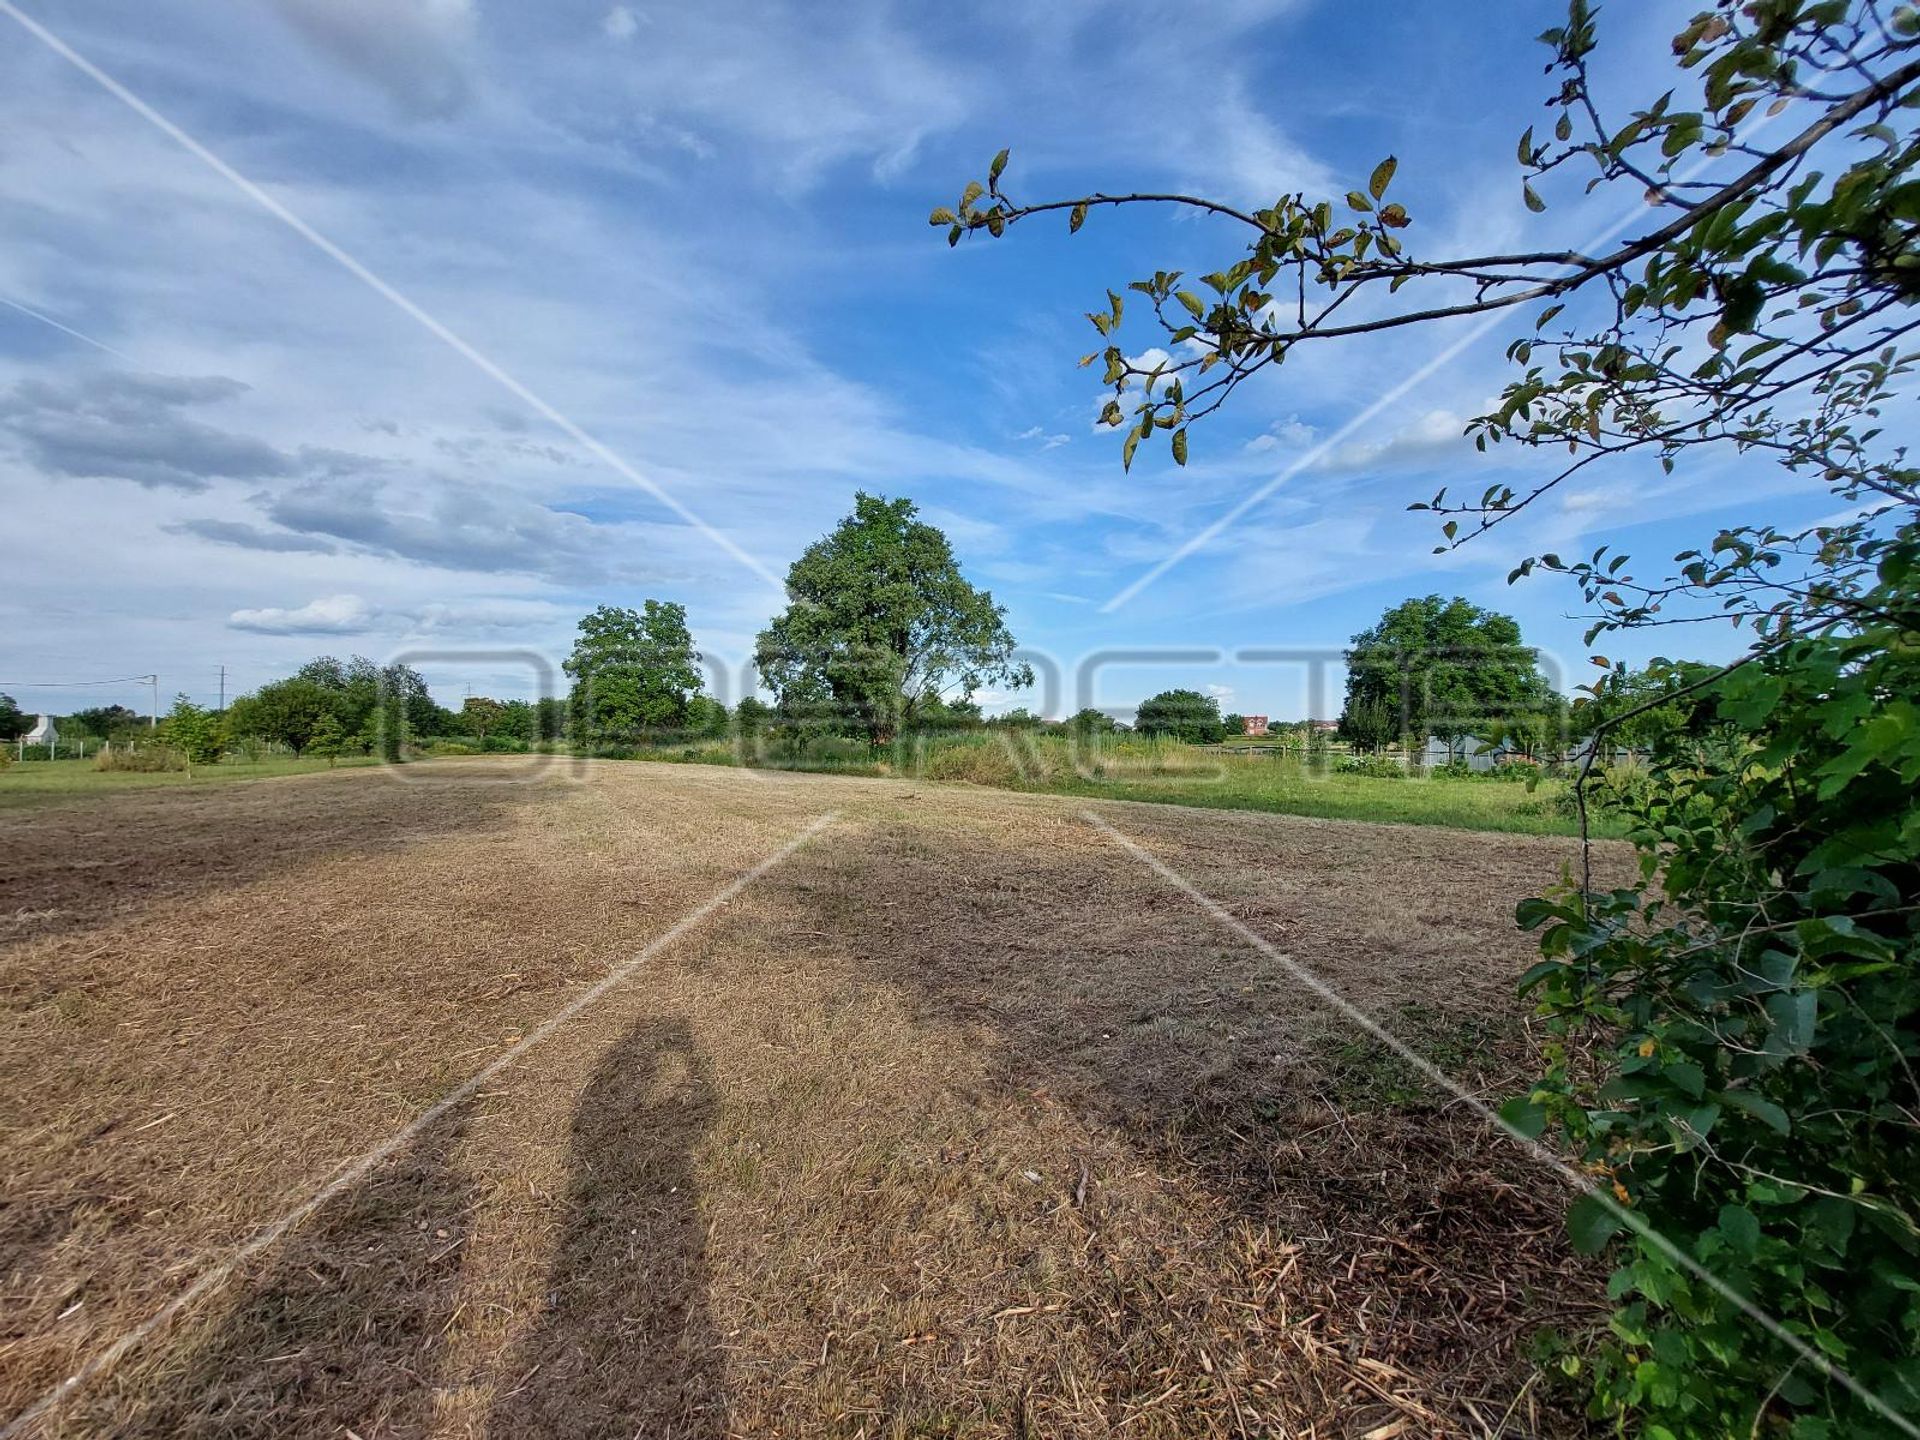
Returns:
<point x="1441" y="667"/>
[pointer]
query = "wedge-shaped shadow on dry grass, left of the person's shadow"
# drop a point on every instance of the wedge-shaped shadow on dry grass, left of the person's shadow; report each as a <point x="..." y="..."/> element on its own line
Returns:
<point x="341" y="1332"/>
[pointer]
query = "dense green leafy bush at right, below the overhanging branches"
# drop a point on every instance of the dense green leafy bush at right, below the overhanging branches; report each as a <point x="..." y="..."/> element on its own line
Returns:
<point x="1758" y="996"/>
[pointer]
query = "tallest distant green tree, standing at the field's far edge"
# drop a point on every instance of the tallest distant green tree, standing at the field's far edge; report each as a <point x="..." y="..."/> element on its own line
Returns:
<point x="882" y="627"/>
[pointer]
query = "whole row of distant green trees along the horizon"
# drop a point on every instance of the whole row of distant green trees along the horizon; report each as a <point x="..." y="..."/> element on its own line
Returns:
<point x="884" y="636"/>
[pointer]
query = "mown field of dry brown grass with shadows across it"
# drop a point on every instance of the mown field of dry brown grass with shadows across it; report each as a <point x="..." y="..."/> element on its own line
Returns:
<point x="957" y="1122"/>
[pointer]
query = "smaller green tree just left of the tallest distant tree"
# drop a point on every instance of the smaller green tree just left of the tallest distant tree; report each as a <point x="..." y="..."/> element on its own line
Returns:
<point x="635" y="673"/>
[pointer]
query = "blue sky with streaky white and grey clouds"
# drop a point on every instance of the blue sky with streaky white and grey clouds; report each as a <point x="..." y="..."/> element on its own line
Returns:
<point x="698" y="233"/>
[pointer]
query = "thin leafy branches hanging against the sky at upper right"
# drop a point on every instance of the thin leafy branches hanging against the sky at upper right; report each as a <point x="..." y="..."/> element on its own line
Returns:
<point x="1762" y="304"/>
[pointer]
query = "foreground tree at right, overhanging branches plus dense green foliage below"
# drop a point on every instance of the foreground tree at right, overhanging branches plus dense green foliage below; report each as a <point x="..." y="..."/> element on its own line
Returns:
<point x="1739" y="1034"/>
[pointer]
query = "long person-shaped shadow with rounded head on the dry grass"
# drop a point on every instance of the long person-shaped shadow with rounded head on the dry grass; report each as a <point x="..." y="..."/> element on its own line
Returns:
<point x="625" y="1345"/>
